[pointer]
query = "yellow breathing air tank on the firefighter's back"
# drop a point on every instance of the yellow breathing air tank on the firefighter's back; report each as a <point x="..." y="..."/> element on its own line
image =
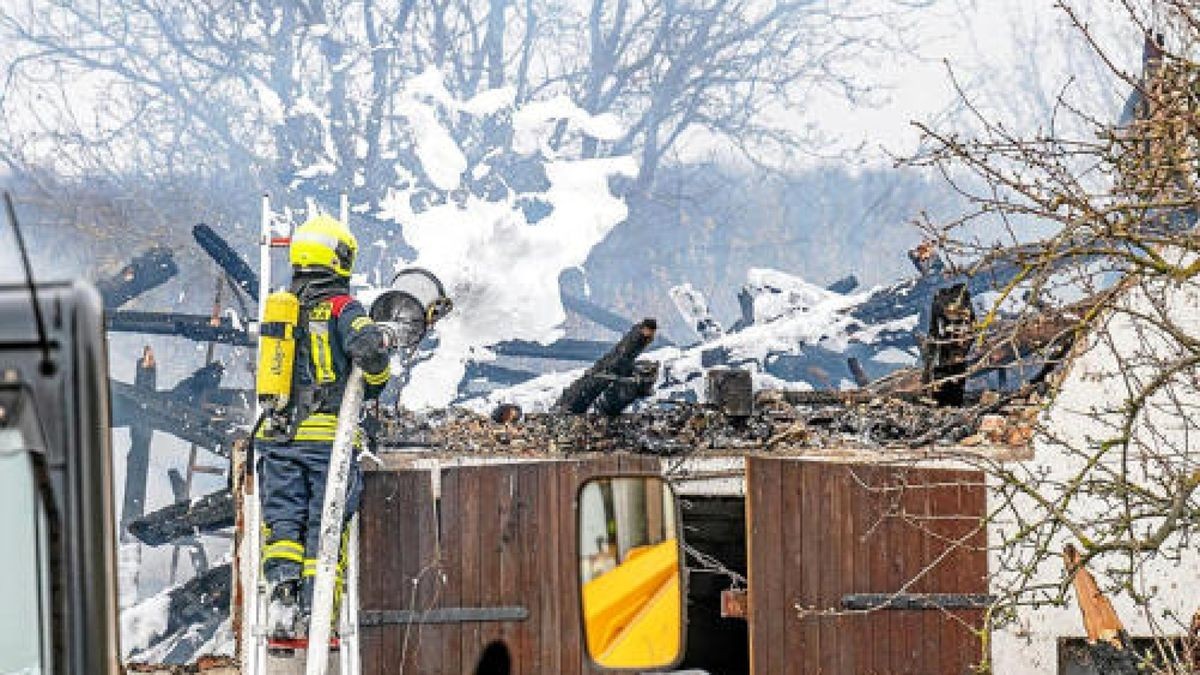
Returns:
<point x="277" y="353"/>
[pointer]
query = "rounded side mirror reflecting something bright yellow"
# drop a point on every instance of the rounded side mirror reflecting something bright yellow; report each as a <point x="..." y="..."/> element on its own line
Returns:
<point x="631" y="572"/>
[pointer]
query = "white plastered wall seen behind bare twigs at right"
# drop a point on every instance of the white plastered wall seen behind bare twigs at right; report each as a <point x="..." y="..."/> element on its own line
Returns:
<point x="1096" y="383"/>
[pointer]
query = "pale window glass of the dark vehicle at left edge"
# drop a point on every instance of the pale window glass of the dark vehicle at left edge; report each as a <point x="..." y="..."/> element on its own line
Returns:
<point x="21" y="623"/>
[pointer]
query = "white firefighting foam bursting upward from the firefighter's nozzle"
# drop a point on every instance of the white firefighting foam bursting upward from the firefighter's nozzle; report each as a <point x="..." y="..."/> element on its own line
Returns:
<point x="501" y="270"/>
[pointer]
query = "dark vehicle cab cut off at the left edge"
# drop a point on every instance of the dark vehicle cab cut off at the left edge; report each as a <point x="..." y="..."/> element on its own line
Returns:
<point x="58" y="572"/>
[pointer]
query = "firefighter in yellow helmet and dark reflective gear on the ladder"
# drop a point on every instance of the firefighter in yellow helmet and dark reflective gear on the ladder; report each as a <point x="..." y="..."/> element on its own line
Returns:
<point x="329" y="331"/>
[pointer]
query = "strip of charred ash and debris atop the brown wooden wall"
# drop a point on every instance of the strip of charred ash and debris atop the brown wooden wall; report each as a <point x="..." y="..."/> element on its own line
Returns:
<point x="819" y="422"/>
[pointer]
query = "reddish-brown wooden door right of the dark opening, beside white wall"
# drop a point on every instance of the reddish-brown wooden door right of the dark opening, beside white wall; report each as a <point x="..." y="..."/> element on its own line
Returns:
<point x="818" y="531"/>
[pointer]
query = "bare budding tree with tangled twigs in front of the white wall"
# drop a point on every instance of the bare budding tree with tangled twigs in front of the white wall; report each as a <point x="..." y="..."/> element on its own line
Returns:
<point x="1102" y="234"/>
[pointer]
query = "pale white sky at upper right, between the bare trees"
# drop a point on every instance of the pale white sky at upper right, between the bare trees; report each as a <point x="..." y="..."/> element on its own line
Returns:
<point x="1011" y="58"/>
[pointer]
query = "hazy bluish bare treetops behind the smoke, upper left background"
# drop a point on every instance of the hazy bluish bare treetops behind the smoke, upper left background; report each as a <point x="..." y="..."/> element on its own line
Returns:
<point x="309" y="97"/>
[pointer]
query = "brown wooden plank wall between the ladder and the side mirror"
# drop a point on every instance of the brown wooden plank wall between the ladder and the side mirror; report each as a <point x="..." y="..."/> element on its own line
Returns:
<point x="505" y="537"/>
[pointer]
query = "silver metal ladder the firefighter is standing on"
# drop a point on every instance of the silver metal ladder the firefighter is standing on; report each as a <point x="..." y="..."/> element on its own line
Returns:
<point x="254" y="601"/>
